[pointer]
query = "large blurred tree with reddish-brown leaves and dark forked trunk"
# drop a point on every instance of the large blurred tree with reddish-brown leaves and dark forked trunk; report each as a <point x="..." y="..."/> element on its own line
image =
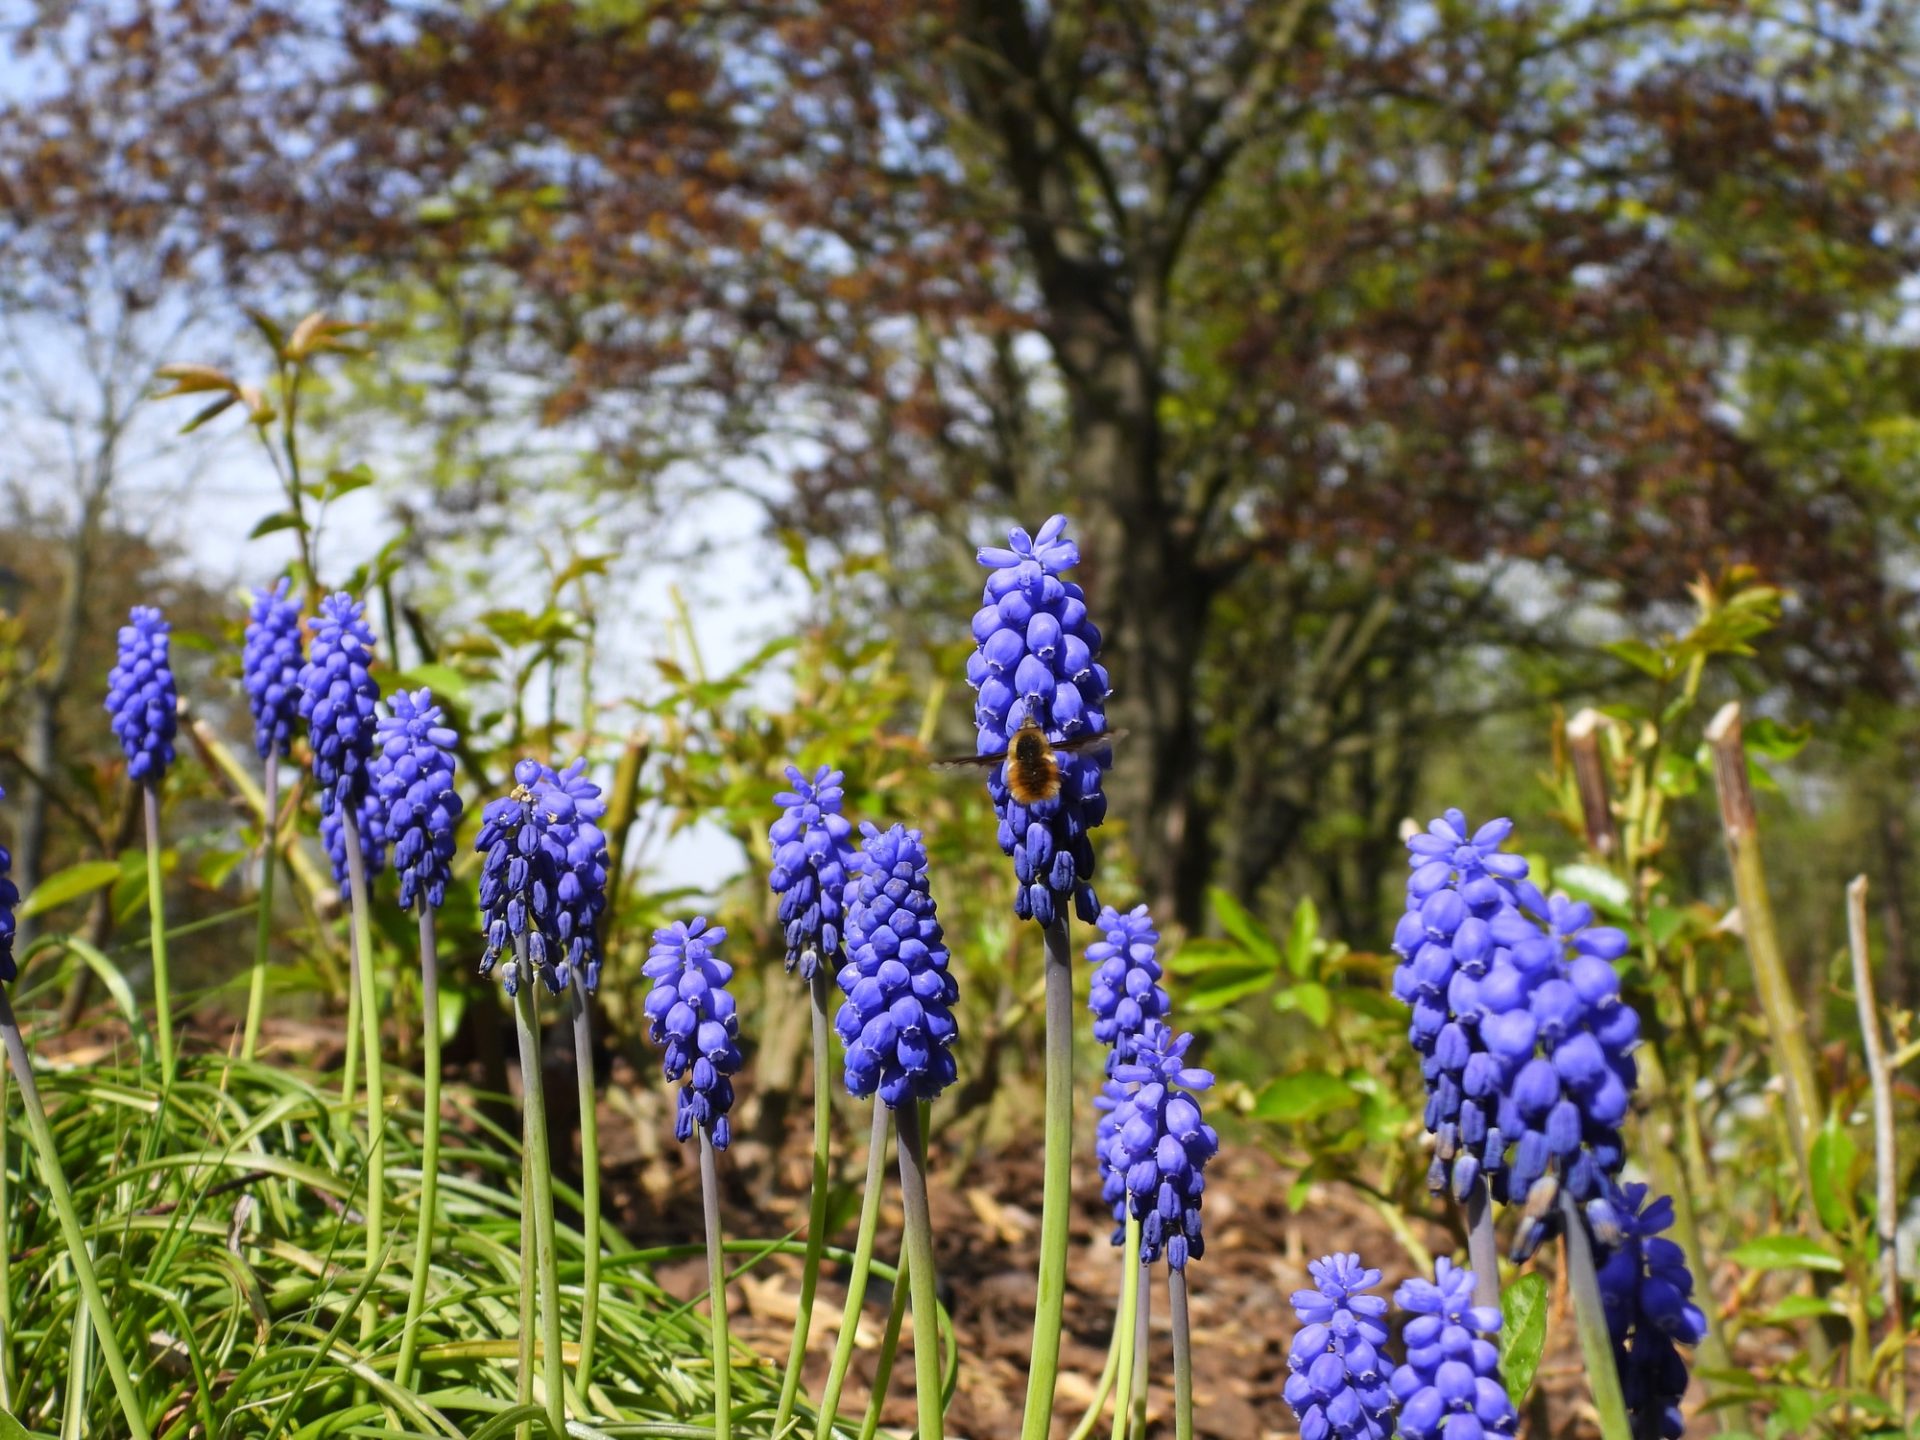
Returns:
<point x="1328" y="318"/>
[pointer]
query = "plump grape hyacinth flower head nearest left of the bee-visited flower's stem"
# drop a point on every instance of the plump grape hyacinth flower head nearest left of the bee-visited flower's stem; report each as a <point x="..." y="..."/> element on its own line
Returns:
<point x="898" y="1019"/>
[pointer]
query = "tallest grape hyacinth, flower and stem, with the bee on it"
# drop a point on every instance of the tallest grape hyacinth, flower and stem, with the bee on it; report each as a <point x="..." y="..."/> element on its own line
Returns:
<point x="1042" y="704"/>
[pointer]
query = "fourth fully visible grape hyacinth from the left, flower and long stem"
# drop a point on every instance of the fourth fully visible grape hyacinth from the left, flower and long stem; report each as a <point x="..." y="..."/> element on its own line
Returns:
<point x="420" y="809"/>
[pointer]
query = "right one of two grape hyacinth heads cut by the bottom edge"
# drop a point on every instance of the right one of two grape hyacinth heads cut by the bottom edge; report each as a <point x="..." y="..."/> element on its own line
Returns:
<point x="1451" y="1387"/>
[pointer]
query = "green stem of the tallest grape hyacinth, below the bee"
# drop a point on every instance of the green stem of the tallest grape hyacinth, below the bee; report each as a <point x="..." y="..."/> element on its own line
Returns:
<point x="1057" y="1193"/>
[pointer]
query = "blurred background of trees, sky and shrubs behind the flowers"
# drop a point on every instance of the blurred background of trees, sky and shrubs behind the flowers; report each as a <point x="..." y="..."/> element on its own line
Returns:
<point x="1420" y="375"/>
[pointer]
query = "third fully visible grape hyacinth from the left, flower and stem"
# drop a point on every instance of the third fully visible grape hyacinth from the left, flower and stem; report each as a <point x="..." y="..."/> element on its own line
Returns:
<point x="337" y="700"/>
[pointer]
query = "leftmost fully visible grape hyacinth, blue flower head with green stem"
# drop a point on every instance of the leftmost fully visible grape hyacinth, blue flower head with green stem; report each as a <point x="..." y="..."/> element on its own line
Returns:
<point x="145" y="715"/>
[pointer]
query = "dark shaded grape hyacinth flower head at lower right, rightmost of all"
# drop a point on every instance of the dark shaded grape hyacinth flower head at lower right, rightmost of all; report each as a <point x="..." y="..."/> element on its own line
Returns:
<point x="1648" y="1295"/>
